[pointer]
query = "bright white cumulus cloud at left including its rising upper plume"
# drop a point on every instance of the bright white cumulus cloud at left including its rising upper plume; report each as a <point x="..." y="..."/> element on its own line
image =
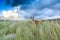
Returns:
<point x="12" y="14"/>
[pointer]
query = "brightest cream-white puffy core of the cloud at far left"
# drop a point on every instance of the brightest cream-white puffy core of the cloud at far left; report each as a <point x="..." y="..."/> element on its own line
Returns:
<point x="9" y="13"/>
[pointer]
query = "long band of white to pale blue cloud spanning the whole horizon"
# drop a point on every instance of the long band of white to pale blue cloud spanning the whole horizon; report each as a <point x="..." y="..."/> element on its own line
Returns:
<point x="45" y="13"/>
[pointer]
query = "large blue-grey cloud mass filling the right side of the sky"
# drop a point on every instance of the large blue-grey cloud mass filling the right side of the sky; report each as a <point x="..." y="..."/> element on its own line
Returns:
<point x="42" y="9"/>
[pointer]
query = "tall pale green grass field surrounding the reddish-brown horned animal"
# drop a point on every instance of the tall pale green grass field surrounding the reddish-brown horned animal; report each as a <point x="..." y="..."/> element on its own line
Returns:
<point x="26" y="30"/>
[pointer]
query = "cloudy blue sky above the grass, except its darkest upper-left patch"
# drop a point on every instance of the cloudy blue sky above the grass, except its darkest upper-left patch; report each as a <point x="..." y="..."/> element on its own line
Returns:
<point x="40" y="9"/>
